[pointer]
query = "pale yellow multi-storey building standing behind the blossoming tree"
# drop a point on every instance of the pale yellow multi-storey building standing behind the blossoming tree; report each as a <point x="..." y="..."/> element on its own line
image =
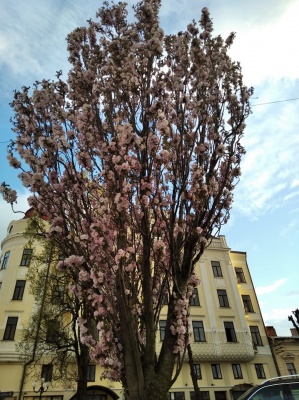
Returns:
<point x="229" y="343"/>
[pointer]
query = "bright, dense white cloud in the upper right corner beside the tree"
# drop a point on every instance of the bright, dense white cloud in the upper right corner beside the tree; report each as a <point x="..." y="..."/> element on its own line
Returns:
<point x="262" y="48"/>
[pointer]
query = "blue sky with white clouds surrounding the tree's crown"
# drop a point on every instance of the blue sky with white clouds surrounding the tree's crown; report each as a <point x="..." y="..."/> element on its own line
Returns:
<point x="265" y="215"/>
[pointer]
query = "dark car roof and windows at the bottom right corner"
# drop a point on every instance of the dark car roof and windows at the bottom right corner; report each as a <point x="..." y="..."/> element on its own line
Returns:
<point x="279" y="388"/>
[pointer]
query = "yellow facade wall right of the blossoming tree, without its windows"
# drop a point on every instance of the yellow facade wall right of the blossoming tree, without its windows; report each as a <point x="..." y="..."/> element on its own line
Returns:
<point x="216" y="349"/>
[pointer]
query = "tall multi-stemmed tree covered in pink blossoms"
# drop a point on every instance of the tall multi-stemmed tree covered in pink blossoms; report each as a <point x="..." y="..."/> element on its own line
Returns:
<point x="133" y="161"/>
